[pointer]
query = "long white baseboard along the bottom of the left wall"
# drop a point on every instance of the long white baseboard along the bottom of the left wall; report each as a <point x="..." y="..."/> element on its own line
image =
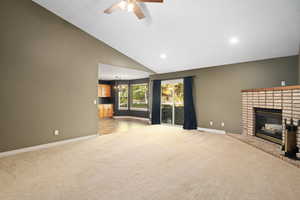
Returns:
<point x="45" y="146"/>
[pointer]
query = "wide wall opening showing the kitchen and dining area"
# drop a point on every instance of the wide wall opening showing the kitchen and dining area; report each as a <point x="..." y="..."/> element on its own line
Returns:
<point x="123" y="99"/>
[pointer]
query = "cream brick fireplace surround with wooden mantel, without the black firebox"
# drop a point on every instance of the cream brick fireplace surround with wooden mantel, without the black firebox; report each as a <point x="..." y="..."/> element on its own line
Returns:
<point x="286" y="98"/>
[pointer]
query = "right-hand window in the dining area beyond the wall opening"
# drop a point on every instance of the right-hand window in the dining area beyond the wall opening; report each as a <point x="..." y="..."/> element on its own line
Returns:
<point x="139" y="96"/>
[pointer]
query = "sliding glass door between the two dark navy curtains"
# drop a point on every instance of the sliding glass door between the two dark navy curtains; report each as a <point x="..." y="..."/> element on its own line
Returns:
<point x="172" y="103"/>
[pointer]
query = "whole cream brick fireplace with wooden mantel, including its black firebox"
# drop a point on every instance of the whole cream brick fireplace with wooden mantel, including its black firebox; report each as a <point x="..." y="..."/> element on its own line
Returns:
<point x="279" y="103"/>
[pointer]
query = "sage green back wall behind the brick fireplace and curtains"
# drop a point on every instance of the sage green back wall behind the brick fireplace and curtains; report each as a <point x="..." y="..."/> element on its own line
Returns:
<point x="218" y="89"/>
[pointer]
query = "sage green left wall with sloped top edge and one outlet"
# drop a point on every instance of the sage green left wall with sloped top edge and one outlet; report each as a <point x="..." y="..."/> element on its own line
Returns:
<point x="48" y="76"/>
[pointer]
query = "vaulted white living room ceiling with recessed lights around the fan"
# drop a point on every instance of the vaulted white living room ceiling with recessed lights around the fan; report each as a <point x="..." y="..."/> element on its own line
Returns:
<point x="192" y="33"/>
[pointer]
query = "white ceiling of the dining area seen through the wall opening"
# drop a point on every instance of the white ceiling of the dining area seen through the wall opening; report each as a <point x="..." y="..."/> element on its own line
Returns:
<point x="109" y="72"/>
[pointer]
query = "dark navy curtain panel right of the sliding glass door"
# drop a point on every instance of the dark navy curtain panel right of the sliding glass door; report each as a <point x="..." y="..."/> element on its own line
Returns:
<point x="190" y="121"/>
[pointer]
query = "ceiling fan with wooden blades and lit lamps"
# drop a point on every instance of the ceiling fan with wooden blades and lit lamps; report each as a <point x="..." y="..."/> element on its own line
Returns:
<point x="131" y="6"/>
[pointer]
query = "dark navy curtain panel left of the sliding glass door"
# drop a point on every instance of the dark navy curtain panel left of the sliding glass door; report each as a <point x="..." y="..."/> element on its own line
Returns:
<point x="155" y="119"/>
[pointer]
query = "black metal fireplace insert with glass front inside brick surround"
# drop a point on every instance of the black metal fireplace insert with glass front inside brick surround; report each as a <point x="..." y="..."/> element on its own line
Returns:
<point x="268" y="124"/>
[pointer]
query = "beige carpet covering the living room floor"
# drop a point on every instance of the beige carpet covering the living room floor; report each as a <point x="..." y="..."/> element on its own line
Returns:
<point x="153" y="163"/>
